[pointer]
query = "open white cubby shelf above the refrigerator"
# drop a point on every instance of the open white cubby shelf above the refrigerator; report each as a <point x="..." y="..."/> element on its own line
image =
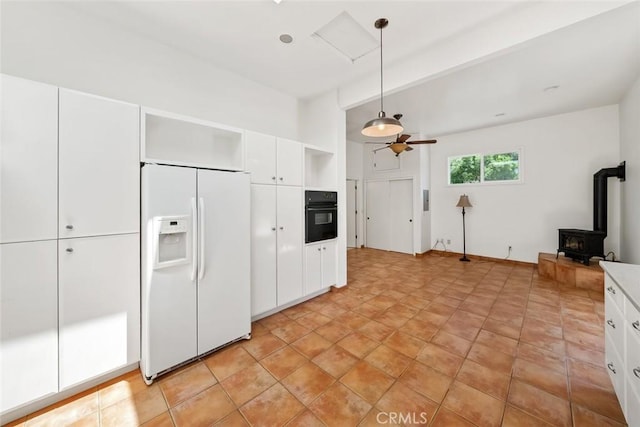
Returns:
<point x="184" y="141"/>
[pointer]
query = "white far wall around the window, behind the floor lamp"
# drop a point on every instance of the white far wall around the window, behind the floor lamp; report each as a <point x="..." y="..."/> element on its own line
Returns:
<point x="560" y="155"/>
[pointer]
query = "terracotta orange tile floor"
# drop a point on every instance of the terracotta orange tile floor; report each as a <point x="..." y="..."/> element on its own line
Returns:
<point x="412" y="341"/>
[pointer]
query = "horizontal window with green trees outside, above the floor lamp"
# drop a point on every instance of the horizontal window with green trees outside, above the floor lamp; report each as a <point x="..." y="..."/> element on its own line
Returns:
<point x="481" y="168"/>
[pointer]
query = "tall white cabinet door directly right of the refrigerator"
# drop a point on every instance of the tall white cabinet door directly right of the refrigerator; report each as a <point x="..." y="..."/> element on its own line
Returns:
<point x="263" y="248"/>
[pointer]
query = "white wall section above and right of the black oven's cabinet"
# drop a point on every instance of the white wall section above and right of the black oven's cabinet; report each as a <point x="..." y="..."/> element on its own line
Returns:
<point x="323" y="124"/>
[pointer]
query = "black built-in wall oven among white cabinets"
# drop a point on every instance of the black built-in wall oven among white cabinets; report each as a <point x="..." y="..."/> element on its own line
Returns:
<point x="321" y="215"/>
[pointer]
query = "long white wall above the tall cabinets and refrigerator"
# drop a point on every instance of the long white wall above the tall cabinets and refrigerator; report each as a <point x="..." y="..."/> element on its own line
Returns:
<point x="53" y="43"/>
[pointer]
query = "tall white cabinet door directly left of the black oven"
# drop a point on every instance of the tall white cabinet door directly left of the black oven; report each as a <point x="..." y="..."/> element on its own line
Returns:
<point x="290" y="237"/>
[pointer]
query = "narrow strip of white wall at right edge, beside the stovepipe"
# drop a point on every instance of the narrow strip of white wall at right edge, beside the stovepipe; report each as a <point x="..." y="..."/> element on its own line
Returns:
<point x="630" y="189"/>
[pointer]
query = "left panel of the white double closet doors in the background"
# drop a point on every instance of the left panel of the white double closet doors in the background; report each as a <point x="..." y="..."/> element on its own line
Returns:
<point x="378" y="221"/>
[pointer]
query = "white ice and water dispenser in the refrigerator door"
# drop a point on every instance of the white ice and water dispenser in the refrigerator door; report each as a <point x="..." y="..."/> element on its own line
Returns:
<point x="172" y="241"/>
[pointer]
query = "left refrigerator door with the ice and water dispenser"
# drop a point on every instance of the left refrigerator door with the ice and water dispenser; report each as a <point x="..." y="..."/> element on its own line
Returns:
<point x="168" y="288"/>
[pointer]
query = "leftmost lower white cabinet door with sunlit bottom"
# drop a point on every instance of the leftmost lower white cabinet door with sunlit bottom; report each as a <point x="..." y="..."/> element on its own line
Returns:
<point x="28" y="322"/>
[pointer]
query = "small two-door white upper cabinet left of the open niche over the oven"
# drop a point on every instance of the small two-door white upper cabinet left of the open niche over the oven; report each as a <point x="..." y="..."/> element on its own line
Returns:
<point x="273" y="160"/>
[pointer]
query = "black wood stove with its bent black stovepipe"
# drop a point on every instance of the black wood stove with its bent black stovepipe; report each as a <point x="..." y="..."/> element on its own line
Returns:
<point x="581" y="245"/>
